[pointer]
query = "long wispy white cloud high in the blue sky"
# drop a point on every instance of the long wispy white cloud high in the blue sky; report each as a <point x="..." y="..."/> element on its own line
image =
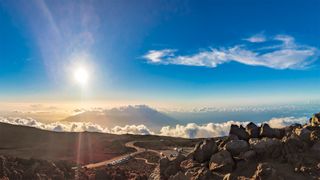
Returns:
<point x="284" y="53"/>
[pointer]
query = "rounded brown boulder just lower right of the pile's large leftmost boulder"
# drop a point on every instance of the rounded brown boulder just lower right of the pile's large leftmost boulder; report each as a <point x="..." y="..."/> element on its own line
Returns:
<point x="221" y="162"/>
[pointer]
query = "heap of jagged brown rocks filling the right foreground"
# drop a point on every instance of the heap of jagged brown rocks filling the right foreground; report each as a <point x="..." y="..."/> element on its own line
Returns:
<point x="251" y="152"/>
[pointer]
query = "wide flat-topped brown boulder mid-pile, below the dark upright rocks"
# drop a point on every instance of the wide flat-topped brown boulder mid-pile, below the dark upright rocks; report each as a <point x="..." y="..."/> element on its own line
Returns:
<point x="266" y="147"/>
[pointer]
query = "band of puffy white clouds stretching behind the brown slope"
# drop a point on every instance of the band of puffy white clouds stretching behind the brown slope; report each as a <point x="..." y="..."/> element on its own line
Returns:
<point x="190" y="130"/>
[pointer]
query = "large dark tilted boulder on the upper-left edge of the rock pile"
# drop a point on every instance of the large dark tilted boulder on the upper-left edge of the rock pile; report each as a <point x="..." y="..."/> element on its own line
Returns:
<point x="203" y="151"/>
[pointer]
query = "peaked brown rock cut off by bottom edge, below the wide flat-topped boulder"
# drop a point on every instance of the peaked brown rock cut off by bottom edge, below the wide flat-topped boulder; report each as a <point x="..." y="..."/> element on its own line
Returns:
<point x="266" y="171"/>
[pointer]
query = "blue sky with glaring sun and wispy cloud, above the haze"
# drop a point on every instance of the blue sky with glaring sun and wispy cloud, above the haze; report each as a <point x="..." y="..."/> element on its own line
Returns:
<point x="162" y="53"/>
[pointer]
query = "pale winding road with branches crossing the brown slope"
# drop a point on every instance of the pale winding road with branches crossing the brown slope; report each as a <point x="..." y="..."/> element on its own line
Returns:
<point x="128" y="144"/>
